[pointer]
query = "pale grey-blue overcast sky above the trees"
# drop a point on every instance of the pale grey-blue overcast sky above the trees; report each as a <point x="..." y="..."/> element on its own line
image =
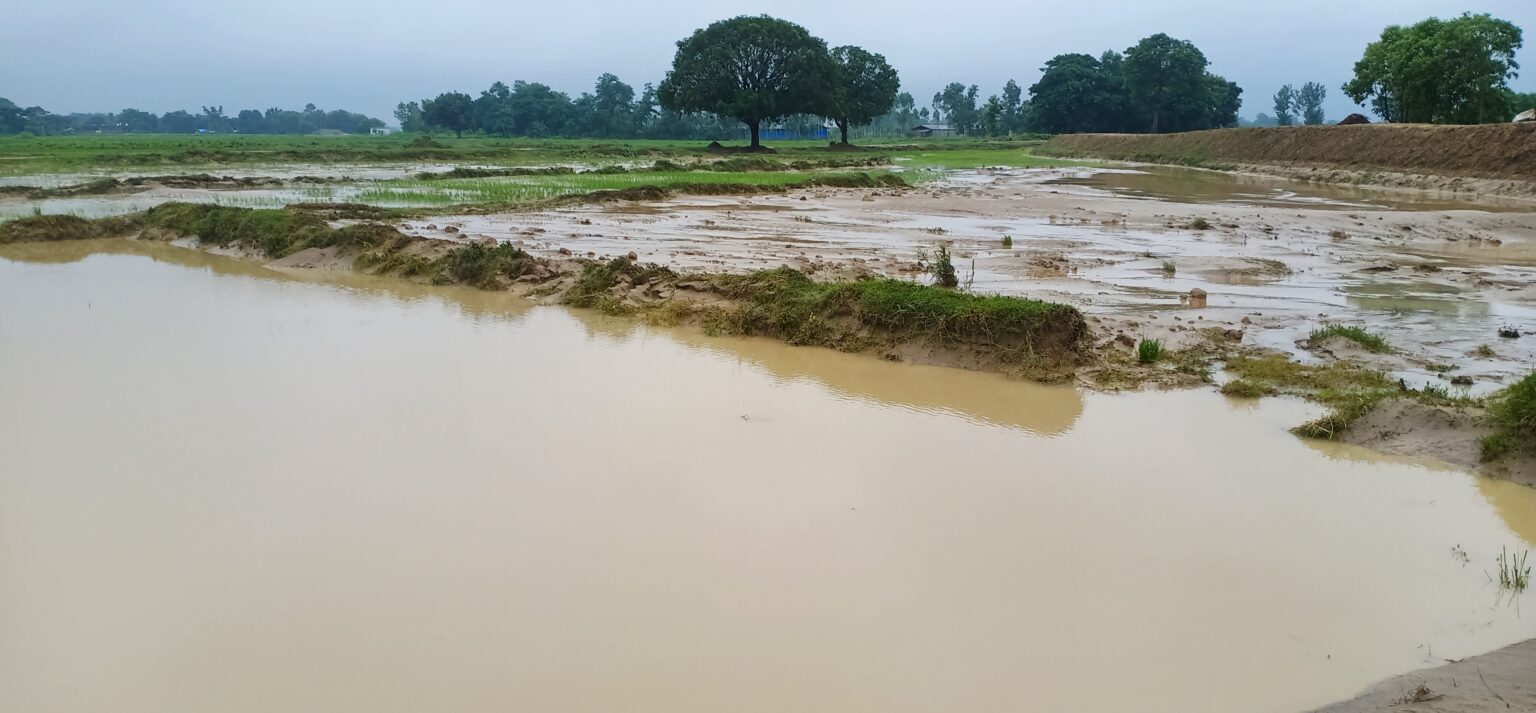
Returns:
<point x="71" y="56"/>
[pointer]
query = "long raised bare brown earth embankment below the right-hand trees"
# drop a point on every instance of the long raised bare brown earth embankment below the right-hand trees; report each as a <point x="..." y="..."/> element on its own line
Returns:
<point x="1495" y="159"/>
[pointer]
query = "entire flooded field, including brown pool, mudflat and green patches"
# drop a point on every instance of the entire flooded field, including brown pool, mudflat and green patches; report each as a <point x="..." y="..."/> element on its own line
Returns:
<point x="629" y="388"/>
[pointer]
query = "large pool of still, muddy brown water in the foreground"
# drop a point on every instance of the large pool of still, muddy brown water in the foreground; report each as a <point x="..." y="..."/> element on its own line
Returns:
<point x="225" y="488"/>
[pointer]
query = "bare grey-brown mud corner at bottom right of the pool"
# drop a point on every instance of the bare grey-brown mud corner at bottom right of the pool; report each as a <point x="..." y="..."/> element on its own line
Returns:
<point x="1500" y="681"/>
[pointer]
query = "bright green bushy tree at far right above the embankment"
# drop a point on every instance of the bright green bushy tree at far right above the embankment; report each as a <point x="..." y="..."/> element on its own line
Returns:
<point x="1440" y="71"/>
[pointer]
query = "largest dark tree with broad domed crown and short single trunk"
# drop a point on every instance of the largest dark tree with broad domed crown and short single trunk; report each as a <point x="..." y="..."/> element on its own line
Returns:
<point x="753" y="70"/>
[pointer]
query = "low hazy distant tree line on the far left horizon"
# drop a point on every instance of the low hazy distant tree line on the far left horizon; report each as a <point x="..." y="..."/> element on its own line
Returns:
<point x="211" y="119"/>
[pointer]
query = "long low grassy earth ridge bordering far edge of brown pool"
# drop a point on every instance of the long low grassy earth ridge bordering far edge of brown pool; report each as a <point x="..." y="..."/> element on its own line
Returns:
<point x="895" y="319"/>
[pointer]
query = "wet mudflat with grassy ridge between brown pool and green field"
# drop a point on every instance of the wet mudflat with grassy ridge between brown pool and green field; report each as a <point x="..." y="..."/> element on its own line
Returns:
<point x="841" y="268"/>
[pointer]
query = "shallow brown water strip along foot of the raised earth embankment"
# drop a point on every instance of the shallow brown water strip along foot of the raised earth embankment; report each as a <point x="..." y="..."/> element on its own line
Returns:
<point x="1210" y="187"/>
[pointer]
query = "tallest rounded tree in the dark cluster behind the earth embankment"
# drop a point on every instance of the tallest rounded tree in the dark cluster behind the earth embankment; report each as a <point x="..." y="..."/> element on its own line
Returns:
<point x="1167" y="84"/>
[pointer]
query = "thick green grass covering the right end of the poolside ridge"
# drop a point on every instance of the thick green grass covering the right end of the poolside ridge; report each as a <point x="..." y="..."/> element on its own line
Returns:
<point x="790" y="305"/>
